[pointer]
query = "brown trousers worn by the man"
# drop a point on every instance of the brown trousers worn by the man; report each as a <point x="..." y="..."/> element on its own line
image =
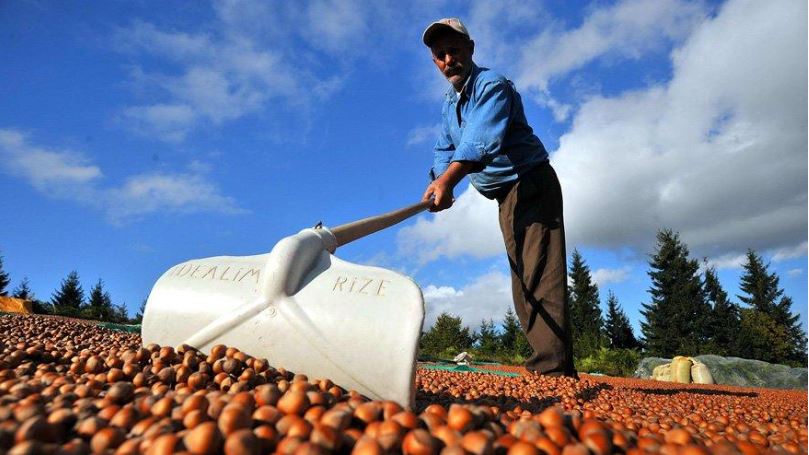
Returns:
<point x="534" y="234"/>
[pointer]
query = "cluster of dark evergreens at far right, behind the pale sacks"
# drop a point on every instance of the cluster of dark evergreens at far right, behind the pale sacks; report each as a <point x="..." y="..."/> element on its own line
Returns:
<point x="690" y="314"/>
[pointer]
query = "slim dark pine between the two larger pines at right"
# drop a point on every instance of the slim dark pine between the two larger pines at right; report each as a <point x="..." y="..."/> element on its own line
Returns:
<point x="724" y="320"/>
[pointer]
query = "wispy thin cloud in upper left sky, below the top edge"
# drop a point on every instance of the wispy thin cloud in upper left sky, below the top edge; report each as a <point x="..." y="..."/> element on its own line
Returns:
<point x="220" y="79"/>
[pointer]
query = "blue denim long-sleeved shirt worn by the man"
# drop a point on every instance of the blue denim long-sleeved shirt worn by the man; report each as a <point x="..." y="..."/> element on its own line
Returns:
<point x="487" y="126"/>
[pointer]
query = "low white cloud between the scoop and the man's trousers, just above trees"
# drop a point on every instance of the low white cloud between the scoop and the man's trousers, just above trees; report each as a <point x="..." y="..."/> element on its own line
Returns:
<point x="486" y="297"/>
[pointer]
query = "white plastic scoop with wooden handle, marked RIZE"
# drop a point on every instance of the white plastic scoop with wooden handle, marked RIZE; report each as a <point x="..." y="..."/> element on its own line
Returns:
<point x="301" y="308"/>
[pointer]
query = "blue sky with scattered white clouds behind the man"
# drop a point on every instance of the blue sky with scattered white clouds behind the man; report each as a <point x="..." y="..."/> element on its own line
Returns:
<point x="134" y="136"/>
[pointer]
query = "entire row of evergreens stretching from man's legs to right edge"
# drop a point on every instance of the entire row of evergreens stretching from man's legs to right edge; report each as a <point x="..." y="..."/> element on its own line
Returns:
<point x="689" y="312"/>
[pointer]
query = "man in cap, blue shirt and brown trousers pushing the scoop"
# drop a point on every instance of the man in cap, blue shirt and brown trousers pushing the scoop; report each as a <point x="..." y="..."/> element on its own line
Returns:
<point x="485" y="136"/>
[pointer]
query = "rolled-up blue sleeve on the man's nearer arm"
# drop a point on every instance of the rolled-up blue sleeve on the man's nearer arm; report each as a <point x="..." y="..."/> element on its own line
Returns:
<point x="486" y="125"/>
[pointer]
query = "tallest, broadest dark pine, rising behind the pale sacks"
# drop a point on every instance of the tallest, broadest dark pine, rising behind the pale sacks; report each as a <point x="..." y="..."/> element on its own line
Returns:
<point x="676" y="319"/>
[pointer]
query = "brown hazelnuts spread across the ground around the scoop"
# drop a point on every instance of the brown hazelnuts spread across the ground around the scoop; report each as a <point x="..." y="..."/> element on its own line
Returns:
<point x="68" y="387"/>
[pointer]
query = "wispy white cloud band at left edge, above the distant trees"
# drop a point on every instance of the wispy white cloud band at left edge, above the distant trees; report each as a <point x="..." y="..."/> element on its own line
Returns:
<point x="67" y="175"/>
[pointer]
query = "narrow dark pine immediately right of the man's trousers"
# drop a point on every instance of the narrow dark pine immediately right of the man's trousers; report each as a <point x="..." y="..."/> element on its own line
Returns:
<point x="585" y="313"/>
